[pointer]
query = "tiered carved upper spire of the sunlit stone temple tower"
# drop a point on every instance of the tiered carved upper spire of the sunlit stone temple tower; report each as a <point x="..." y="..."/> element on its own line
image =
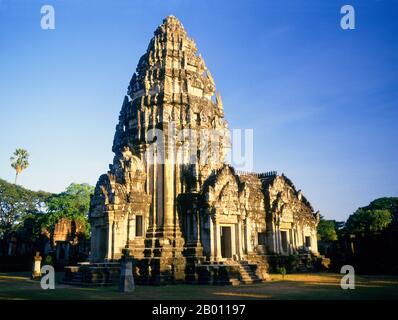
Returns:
<point x="171" y="85"/>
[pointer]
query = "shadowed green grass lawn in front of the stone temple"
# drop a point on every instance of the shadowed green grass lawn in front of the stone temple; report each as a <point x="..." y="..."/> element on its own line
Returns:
<point x="295" y="286"/>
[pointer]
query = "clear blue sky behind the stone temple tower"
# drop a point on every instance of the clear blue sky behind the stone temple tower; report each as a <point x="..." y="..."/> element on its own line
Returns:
<point x="322" y="101"/>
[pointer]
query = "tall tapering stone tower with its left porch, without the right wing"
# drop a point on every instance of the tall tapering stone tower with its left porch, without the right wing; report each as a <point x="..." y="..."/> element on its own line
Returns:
<point x="159" y="154"/>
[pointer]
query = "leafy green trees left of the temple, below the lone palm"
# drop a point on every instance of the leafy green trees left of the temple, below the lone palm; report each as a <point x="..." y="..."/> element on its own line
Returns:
<point x="28" y="212"/>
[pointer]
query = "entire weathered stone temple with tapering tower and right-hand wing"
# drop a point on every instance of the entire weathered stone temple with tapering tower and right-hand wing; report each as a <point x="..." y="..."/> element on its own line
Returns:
<point x="194" y="221"/>
